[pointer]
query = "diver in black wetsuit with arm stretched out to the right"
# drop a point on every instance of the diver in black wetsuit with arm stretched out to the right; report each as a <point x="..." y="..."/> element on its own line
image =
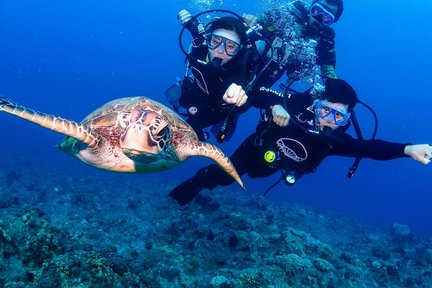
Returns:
<point x="317" y="129"/>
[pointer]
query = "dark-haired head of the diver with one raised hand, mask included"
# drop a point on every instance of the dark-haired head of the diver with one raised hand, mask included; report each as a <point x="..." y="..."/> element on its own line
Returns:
<point x="225" y="37"/>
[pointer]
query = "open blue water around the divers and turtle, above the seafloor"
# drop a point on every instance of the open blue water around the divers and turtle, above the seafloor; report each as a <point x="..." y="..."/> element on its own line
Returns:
<point x="70" y="57"/>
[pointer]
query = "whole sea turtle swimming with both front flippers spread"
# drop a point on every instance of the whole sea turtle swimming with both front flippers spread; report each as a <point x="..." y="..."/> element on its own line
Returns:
<point x="132" y="134"/>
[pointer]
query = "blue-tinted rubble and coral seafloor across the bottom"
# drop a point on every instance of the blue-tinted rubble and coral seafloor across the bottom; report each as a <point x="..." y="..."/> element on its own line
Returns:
<point x="60" y="230"/>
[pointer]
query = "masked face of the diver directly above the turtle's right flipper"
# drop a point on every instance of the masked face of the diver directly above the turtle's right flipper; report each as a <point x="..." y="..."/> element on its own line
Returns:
<point x="226" y="46"/>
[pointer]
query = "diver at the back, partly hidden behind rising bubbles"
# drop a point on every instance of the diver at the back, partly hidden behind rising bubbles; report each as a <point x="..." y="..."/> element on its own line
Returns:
<point x="302" y="39"/>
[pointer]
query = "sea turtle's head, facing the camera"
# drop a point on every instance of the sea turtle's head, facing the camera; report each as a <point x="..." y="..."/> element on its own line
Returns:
<point x="145" y="134"/>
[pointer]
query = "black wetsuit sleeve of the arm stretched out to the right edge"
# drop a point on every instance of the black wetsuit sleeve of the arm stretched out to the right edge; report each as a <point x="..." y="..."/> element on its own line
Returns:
<point x="373" y="149"/>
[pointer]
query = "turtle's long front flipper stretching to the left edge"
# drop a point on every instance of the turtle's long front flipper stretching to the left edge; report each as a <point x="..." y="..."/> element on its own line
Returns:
<point x="63" y="126"/>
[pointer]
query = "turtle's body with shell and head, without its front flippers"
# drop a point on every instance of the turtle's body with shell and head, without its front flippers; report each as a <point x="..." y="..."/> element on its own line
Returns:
<point x="136" y="134"/>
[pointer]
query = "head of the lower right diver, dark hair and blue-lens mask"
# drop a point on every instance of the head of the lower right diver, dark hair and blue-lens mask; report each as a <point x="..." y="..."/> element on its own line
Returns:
<point x="333" y="108"/>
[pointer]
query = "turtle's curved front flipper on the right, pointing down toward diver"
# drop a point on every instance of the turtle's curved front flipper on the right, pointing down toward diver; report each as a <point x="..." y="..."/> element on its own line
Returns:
<point x="198" y="148"/>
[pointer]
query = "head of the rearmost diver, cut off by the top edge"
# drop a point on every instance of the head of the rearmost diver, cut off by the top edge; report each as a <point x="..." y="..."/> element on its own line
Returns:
<point x="325" y="12"/>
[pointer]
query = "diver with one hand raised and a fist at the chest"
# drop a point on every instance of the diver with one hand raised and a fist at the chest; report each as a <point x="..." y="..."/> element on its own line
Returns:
<point x="222" y="63"/>
